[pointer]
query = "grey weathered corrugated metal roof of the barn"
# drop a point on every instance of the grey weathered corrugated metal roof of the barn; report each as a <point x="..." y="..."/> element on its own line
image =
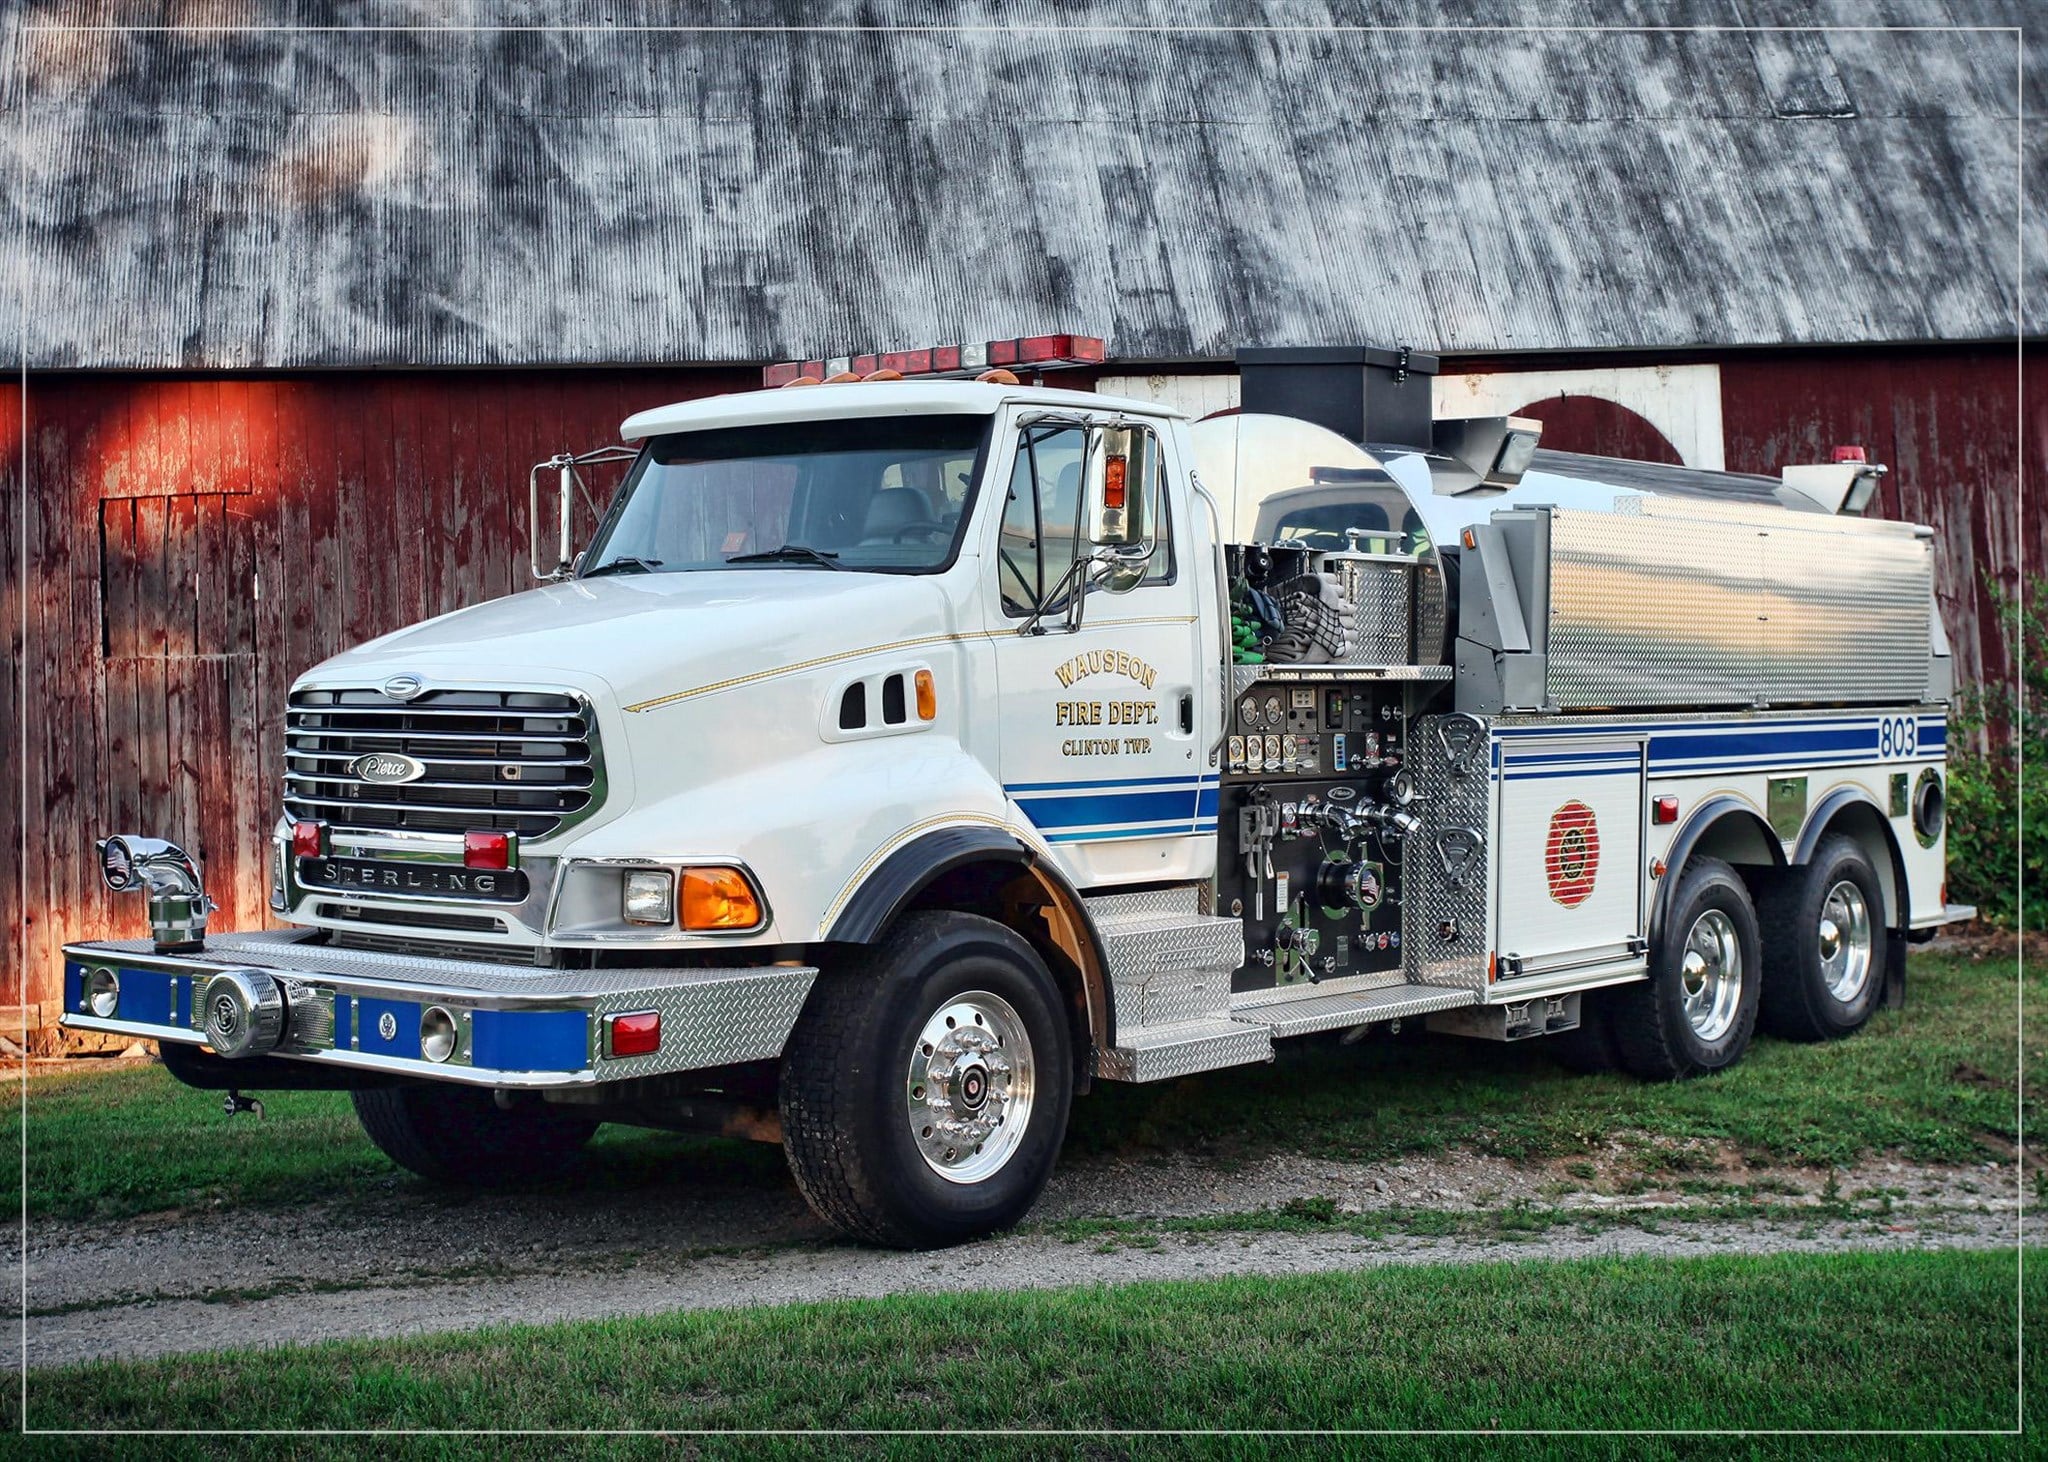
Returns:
<point x="515" y="198"/>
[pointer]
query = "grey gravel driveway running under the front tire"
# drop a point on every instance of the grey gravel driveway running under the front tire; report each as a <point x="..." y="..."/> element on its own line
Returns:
<point x="417" y="1260"/>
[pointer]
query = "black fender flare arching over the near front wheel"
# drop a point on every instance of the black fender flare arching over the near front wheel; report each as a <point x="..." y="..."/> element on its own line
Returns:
<point x="908" y="871"/>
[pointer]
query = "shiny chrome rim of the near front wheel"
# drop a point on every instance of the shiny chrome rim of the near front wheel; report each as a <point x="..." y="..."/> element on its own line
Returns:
<point x="970" y="1088"/>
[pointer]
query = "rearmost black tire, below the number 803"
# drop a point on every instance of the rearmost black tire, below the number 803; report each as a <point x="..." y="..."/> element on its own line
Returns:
<point x="1801" y="986"/>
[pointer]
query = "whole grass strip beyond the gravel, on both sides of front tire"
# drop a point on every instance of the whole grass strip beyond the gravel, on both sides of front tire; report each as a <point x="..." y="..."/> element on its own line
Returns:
<point x="1932" y="1084"/>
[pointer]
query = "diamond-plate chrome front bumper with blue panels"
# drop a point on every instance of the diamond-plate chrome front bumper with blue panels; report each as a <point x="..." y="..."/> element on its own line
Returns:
<point x="519" y="1027"/>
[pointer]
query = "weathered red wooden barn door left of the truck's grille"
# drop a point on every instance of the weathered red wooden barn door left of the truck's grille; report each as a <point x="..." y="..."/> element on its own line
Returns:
<point x="179" y="689"/>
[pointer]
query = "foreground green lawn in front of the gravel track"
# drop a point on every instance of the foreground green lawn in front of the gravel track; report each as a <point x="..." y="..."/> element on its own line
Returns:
<point x="1918" y="1340"/>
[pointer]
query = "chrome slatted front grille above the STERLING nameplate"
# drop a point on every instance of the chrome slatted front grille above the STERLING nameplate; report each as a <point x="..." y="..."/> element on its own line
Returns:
<point x="497" y="761"/>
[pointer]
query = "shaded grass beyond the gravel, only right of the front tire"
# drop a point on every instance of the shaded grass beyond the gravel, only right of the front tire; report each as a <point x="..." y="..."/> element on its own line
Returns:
<point x="1934" y="1082"/>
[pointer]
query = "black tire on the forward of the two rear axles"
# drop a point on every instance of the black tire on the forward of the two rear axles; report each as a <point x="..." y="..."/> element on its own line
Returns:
<point x="1654" y="1033"/>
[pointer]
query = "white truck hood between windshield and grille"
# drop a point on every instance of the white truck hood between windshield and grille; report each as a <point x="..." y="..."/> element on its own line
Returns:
<point x="656" y="634"/>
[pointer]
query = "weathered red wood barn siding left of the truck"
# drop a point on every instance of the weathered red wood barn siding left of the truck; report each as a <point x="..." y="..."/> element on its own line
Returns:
<point x="194" y="546"/>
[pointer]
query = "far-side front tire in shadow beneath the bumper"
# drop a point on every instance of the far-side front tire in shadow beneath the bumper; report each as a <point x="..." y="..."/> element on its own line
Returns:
<point x="460" y="1135"/>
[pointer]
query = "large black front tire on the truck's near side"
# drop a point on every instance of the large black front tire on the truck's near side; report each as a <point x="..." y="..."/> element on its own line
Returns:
<point x="849" y="1084"/>
